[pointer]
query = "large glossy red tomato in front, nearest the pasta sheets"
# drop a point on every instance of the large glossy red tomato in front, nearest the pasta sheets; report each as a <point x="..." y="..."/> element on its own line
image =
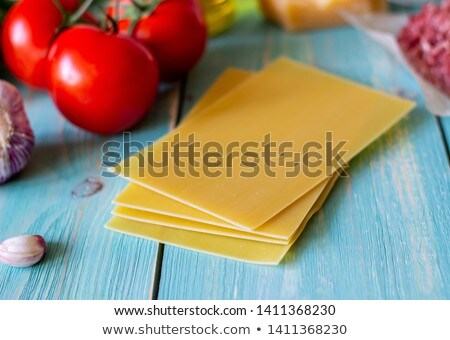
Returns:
<point x="101" y="82"/>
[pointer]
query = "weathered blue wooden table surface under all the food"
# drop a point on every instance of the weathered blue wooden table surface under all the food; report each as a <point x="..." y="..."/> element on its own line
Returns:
<point x="382" y="234"/>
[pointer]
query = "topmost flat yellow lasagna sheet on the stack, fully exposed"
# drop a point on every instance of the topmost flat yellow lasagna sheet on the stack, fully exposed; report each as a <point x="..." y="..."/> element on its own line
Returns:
<point x="292" y="102"/>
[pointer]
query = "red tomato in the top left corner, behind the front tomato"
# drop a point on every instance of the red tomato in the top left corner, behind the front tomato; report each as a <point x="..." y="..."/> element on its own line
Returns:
<point x="28" y="29"/>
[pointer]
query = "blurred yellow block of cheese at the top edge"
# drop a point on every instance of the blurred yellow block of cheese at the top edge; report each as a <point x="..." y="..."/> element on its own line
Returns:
<point x="294" y="15"/>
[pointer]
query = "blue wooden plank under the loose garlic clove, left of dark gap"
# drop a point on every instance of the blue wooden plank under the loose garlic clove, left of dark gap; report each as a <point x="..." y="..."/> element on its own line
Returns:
<point x="84" y="261"/>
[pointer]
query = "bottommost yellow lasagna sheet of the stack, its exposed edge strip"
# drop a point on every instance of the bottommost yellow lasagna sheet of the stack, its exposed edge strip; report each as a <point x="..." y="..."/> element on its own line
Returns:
<point x="229" y="247"/>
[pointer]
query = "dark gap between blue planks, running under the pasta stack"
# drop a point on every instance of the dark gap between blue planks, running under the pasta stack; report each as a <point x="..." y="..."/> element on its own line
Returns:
<point x="177" y="116"/>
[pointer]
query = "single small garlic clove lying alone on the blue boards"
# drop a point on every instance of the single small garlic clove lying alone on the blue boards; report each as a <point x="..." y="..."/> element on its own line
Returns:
<point x="22" y="251"/>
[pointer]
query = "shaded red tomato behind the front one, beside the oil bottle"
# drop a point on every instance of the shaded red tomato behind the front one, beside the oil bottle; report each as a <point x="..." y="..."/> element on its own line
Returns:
<point x="176" y="34"/>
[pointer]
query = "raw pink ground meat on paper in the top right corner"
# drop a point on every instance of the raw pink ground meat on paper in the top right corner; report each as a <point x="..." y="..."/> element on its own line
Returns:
<point x="425" y="41"/>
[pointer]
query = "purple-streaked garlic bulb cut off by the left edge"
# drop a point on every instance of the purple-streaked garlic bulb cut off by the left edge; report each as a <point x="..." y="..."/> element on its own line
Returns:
<point x="16" y="135"/>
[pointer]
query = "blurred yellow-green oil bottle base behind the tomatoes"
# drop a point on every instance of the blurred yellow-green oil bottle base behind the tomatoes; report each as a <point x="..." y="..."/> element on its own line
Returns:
<point x="219" y="15"/>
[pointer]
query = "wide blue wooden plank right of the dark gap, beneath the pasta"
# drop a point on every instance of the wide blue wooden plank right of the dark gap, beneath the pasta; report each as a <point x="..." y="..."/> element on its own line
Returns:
<point x="382" y="234"/>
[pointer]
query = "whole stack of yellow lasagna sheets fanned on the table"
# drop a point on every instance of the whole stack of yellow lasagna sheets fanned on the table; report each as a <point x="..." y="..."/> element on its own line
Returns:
<point x="233" y="200"/>
